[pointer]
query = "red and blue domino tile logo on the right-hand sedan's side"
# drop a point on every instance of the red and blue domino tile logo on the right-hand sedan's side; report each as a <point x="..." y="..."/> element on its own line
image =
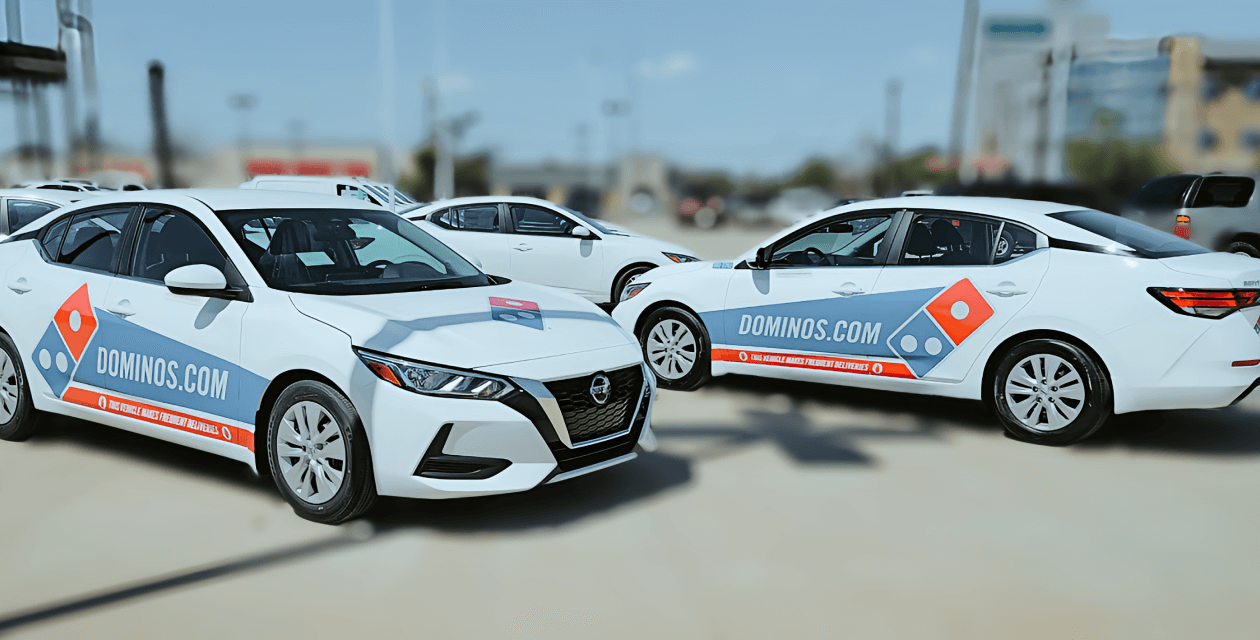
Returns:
<point x="932" y="334"/>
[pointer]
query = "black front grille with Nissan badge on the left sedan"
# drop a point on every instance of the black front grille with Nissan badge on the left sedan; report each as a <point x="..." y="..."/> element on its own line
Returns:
<point x="585" y="419"/>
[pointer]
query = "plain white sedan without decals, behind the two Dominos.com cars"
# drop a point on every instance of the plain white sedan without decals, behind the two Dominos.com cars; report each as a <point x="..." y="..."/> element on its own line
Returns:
<point x="537" y="241"/>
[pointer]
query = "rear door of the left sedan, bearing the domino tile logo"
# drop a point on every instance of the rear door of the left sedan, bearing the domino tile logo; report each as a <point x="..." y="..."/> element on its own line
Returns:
<point x="61" y="288"/>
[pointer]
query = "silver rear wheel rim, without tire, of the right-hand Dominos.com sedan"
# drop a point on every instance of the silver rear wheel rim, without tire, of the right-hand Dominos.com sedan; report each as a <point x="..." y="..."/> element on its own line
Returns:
<point x="1045" y="392"/>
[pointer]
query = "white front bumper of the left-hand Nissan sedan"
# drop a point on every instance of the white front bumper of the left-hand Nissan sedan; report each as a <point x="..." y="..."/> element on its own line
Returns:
<point x="442" y="448"/>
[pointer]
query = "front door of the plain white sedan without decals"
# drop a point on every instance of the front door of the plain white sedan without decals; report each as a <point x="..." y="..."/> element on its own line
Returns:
<point x="545" y="251"/>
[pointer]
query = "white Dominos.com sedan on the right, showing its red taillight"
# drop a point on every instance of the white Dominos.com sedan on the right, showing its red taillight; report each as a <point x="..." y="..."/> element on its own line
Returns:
<point x="1057" y="317"/>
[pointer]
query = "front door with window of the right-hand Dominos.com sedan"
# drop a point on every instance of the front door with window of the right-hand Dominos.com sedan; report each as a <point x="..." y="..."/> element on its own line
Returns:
<point x="808" y="308"/>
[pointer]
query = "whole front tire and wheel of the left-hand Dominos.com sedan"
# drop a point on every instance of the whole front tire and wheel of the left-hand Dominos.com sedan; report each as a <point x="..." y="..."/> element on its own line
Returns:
<point x="308" y="409"/>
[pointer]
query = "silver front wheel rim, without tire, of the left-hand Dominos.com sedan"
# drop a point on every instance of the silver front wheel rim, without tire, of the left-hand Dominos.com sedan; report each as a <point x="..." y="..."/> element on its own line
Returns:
<point x="311" y="449"/>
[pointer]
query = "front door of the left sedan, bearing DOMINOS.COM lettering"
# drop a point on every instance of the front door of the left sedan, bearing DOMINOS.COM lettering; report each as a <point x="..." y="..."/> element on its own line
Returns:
<point x="176" y="358"/>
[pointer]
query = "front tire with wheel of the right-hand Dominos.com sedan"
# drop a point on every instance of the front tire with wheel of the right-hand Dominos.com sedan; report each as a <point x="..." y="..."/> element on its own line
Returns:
<point x="668" y="337"/>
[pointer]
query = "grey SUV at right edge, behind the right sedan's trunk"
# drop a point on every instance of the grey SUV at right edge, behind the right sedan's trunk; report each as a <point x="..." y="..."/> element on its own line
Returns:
<point x="1219" y="212"/>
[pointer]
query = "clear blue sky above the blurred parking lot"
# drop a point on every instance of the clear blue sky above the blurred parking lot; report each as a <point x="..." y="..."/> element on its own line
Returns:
<point x="754" y="89"/>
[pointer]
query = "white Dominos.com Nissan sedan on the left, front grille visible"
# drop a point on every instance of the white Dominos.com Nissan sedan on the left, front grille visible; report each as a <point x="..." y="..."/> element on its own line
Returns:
<point x="324" y="342"/>
